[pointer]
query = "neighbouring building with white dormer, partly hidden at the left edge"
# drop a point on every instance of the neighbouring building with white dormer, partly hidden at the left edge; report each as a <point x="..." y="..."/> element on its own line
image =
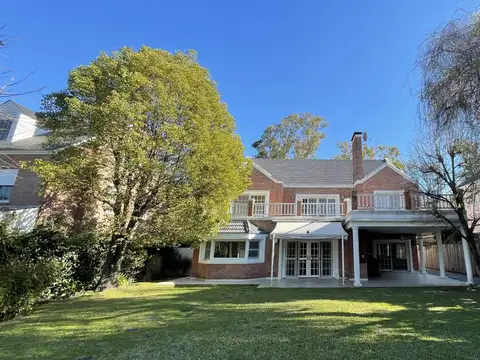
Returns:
<point x="20" y="141"/>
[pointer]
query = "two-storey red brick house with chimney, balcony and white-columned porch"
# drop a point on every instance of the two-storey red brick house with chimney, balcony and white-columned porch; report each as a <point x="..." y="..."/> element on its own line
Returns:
<point x="353" y="219"/>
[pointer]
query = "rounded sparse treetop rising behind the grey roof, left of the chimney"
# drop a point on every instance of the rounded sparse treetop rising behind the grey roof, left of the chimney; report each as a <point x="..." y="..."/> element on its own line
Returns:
<point x="297" y="136"/>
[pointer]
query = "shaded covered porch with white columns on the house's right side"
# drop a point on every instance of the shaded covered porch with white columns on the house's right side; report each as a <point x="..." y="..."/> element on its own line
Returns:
<point x="384" y="247"/>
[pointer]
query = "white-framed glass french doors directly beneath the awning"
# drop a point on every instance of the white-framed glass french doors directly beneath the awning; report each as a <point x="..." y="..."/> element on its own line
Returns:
<point x="308" y="259"/>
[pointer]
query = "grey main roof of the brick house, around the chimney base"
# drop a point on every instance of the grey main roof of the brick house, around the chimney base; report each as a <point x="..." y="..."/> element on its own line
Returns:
<point x="313" y="172"/>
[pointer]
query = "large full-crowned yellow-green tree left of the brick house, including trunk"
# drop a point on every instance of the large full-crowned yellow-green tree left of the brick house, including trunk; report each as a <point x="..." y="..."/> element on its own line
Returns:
<point x="146" y="135"/>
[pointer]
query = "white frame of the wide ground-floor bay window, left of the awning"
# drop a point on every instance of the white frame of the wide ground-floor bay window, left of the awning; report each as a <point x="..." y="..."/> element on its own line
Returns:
<point x="261" y="238"/>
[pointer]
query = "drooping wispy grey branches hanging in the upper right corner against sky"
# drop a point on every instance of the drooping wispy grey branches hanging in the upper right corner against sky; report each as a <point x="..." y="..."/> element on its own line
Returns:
<point x="449" y="64"/>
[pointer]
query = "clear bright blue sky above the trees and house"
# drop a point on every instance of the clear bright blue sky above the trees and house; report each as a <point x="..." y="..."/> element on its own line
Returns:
<point x="351" y="62"/>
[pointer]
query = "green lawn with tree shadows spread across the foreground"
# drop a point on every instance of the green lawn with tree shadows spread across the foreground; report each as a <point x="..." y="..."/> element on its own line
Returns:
<point x="147" y="321"/>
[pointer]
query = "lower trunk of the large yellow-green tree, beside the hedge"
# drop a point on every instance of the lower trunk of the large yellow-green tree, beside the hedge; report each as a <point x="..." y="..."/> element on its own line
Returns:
<point x="113" y="262"/>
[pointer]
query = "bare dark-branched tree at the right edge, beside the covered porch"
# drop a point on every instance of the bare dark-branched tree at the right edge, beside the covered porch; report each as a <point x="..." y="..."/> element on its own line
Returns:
<point x="441" y="163"/>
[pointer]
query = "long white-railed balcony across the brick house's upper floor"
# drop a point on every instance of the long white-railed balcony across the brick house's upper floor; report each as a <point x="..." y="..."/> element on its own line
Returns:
<point x="362" y="202"/>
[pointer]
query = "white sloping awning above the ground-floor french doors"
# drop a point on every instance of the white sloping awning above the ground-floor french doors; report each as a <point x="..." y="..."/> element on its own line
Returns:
<point x="309" y="230"/>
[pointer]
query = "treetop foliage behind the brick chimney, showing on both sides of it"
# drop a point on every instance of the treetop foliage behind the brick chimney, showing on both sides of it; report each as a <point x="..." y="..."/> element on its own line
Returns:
<point x="379" y="152"/>
